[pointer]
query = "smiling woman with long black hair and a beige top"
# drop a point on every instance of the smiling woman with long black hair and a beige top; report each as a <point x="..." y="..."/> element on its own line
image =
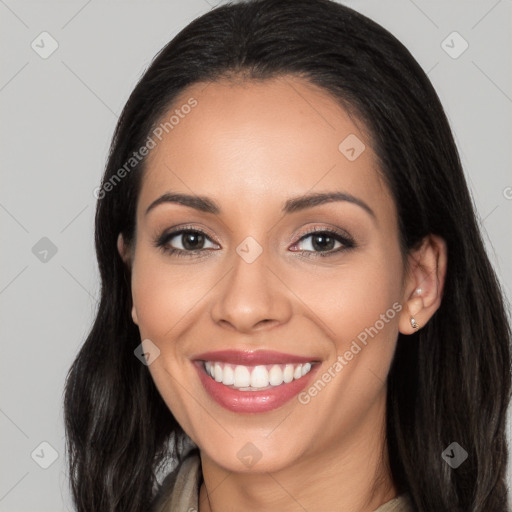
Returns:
<point x="296" y="302"/>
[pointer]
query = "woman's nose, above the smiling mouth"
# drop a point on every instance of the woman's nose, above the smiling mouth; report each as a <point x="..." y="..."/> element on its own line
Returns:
<point x="252" y="297"/>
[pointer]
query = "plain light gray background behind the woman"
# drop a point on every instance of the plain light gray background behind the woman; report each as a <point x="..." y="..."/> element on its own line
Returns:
<point x="58" y="115"/>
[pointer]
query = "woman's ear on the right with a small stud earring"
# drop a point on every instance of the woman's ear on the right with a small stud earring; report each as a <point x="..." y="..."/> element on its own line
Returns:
<point x="424" y="283"/>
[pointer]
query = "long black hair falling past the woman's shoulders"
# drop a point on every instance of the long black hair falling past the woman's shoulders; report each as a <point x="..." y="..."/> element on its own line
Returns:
<point x="448" y="382"/>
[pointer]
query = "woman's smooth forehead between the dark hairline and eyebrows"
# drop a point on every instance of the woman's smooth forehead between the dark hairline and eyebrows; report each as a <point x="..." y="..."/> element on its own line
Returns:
<point x="251" y="144"/>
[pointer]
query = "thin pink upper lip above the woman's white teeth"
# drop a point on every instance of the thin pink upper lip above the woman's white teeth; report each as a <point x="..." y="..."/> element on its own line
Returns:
<point x="252" y="357"/>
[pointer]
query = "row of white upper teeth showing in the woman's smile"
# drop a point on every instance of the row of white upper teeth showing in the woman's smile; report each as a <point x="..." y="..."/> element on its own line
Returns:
<point x="253" y="378"/>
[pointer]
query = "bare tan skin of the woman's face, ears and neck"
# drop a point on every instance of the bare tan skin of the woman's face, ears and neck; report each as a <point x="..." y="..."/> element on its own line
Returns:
<point x="250" y="146"/>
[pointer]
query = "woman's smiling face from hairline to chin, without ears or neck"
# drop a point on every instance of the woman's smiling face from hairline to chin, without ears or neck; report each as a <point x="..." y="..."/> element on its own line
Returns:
<point x="304" y="323"/>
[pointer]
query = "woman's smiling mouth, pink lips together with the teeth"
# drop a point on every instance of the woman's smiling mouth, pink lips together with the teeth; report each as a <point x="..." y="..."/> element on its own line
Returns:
<point x="253" y="381"/>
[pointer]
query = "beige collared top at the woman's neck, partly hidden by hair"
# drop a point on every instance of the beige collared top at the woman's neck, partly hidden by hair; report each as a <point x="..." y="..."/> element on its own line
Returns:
<point x="180" y="491"/>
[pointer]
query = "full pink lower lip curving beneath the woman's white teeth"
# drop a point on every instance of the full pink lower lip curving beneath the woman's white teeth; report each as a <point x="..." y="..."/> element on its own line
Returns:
<point x="252" y="401"/>
